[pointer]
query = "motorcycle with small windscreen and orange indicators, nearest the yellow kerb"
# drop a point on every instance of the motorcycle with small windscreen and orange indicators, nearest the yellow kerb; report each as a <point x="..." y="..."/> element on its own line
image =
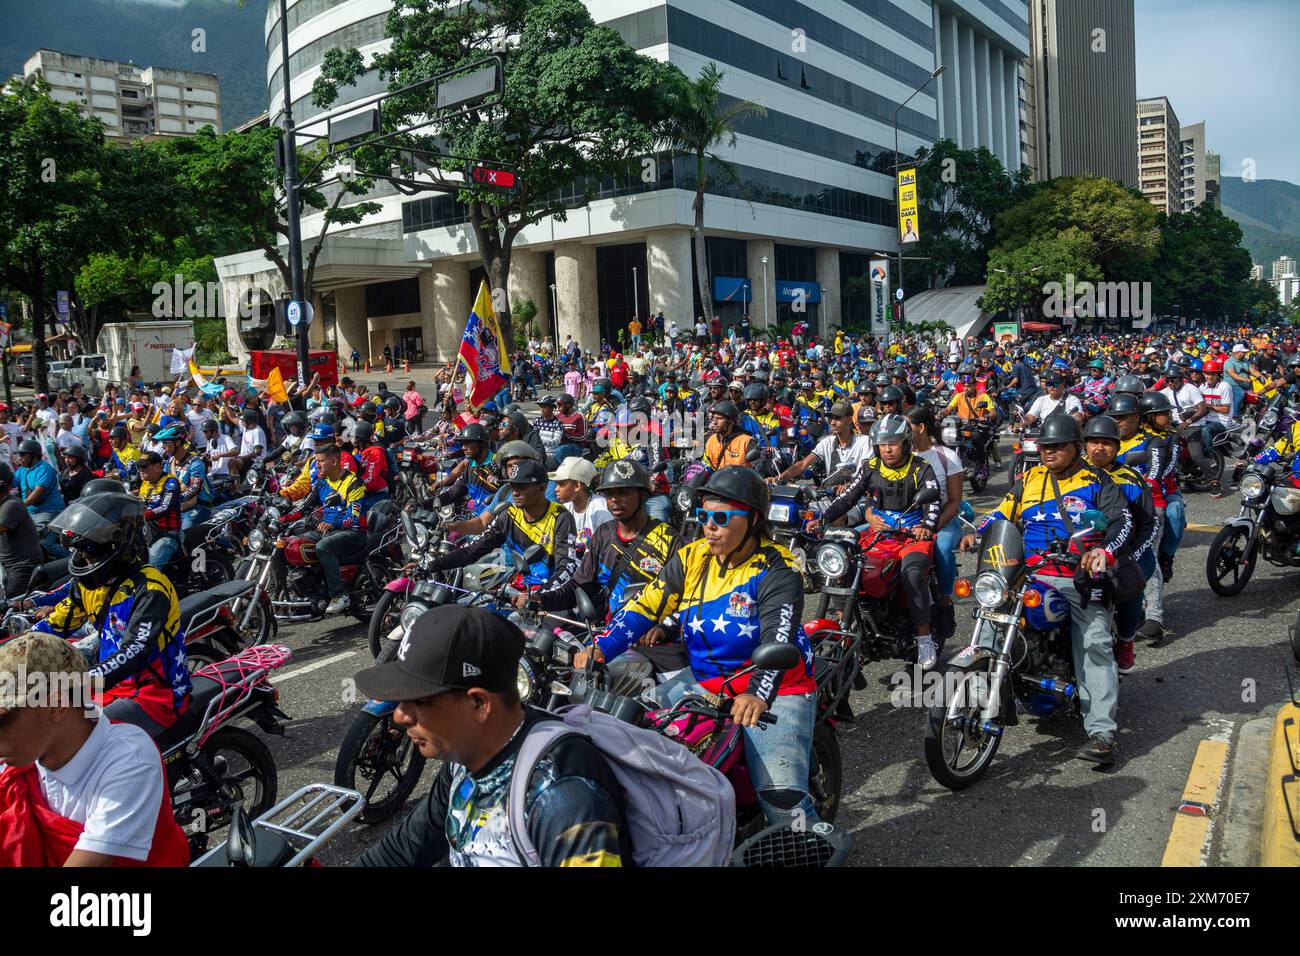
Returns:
<point x="1020" y="660"/>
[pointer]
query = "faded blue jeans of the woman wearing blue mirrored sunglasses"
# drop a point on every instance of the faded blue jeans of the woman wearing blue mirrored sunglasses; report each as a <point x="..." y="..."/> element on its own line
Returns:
<point x="778" y="755"/>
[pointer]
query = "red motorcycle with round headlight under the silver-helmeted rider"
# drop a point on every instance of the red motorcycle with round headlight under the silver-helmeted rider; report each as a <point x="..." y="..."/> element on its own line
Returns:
<point x="861" y="594"/>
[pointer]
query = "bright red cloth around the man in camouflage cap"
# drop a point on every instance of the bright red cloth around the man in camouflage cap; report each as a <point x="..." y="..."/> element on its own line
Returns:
<point x="34" y="836"/>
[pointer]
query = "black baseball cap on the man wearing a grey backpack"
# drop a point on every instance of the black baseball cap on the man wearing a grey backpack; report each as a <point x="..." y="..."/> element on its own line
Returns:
<point x="449" y="648"/>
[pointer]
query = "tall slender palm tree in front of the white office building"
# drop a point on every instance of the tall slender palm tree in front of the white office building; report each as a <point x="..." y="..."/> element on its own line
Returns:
<point x="699" y="124"/>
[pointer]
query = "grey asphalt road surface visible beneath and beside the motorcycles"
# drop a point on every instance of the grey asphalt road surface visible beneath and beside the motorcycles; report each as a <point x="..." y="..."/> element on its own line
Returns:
<point x="1223" y="664"/>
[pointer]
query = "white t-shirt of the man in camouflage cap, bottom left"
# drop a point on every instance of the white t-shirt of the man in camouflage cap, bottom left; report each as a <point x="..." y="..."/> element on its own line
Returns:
<point x="114" y="786"/>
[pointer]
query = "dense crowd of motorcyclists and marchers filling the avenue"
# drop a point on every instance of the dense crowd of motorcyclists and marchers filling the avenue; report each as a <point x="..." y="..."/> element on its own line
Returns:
<point x="584" y="496"/>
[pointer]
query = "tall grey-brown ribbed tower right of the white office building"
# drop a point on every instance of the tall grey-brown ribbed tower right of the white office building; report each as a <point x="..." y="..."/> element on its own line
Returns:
<point x="1080" y="85"/>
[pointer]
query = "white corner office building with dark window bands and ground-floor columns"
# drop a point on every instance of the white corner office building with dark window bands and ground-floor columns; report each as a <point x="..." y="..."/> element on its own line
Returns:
<point x="818" y="202"/>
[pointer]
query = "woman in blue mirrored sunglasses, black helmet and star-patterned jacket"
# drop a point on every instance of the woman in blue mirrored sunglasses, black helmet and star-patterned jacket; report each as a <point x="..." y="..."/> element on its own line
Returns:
<point x="734" y="590"/>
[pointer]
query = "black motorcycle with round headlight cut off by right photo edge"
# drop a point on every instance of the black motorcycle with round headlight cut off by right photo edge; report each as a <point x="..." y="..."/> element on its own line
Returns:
<point x="1268" y="524"/>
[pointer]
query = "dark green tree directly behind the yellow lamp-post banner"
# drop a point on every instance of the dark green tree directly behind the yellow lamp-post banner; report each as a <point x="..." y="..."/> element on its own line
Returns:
<point x="961" y="193"/>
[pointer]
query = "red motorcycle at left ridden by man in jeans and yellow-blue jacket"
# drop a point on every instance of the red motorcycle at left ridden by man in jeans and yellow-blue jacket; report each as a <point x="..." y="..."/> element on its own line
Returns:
<point x="283" y="563"/>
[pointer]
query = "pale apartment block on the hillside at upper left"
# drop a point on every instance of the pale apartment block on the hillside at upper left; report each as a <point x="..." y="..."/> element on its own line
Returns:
<point x="133" y="102"/>
